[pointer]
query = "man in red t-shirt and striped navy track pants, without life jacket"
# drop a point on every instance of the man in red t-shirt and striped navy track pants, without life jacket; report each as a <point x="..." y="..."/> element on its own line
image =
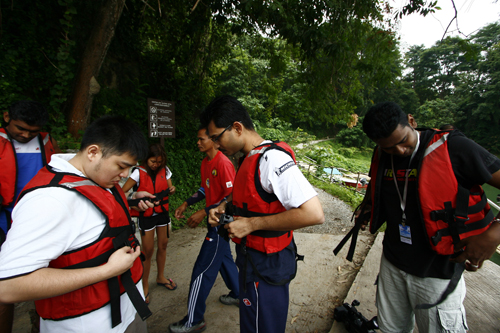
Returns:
<point x="217" y="176"/>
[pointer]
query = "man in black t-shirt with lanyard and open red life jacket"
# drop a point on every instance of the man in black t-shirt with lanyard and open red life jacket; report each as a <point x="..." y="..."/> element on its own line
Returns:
<point x="426" y="185"/>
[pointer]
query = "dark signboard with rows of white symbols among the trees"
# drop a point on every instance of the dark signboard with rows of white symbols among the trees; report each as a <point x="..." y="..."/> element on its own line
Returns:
<point x="161" y="119"/>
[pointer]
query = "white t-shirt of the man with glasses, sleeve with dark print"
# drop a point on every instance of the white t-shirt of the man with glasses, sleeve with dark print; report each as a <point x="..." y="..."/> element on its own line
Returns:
<point x="281" y="176"/>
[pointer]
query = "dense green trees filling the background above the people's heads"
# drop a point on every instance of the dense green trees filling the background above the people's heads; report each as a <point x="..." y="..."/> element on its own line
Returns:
<point x="310" y="63"/>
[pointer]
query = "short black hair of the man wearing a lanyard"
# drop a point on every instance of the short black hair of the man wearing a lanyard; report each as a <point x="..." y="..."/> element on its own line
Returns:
<point x="382" y="119"/>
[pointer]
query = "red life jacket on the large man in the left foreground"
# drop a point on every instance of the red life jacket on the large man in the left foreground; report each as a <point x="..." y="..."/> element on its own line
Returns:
<point x="118" y="232"/>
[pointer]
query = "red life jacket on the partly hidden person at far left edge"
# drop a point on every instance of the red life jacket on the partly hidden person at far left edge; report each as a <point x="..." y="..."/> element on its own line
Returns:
<point x="8" y="164"/>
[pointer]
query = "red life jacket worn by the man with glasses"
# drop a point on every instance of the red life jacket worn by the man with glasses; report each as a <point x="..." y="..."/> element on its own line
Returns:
<point x="250" y="199"/>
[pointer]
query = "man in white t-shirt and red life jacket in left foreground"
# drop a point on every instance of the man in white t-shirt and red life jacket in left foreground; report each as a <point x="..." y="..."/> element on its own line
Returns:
<point x="71" y="247"/>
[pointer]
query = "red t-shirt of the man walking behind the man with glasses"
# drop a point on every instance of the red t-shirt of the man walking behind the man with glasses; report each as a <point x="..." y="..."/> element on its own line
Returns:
<point x="217" y="178"/>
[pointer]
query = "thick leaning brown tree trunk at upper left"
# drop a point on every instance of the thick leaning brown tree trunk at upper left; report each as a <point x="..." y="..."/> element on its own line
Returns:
<point x="86" y="86"/>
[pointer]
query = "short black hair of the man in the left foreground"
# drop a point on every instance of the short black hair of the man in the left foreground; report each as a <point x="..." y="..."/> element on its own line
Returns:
<point x="116" y="135"/>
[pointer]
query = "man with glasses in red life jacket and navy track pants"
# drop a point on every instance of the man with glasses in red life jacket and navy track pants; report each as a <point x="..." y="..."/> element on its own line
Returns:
<point x="270" y="199"/>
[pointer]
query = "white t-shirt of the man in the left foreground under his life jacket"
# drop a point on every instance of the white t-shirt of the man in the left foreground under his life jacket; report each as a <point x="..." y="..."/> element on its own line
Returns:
<point x="48" y="222"/>
